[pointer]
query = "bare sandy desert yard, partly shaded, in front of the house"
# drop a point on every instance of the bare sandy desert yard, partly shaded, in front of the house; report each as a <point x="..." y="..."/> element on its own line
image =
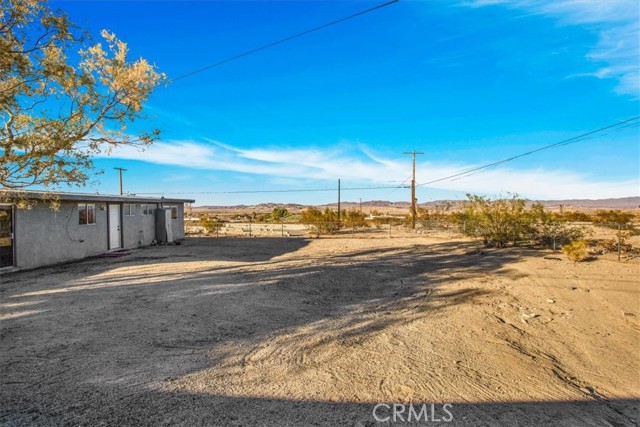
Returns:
<point x="316" y="332"/>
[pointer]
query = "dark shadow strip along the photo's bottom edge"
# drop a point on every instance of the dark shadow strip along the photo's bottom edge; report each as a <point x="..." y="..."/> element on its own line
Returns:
<point x="170" y="409"/>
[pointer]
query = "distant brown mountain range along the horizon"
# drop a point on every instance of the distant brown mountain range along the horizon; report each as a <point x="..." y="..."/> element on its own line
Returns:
<point x="621" y="203"/>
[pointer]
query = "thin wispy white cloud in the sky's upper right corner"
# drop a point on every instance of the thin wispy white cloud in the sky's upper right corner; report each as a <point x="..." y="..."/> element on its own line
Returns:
<point x="616" y="22"/>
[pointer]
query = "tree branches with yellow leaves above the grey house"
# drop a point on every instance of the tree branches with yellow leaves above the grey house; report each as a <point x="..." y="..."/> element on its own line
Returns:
<point x="56" y="114"/>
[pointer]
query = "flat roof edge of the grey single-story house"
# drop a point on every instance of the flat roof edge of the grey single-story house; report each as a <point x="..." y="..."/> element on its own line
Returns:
<point x="89" y="197"/>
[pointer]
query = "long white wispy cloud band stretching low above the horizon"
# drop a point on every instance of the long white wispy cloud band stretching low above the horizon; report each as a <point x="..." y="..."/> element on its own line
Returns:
<point x="364" y="166"/>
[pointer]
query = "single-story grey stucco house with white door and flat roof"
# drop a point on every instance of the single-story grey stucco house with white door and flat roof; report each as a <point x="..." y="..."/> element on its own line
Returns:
<point x="33" y="233"/>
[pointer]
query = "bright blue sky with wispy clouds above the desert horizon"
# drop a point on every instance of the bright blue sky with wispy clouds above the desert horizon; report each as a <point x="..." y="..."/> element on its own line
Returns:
<point x="466" y="82"/>
